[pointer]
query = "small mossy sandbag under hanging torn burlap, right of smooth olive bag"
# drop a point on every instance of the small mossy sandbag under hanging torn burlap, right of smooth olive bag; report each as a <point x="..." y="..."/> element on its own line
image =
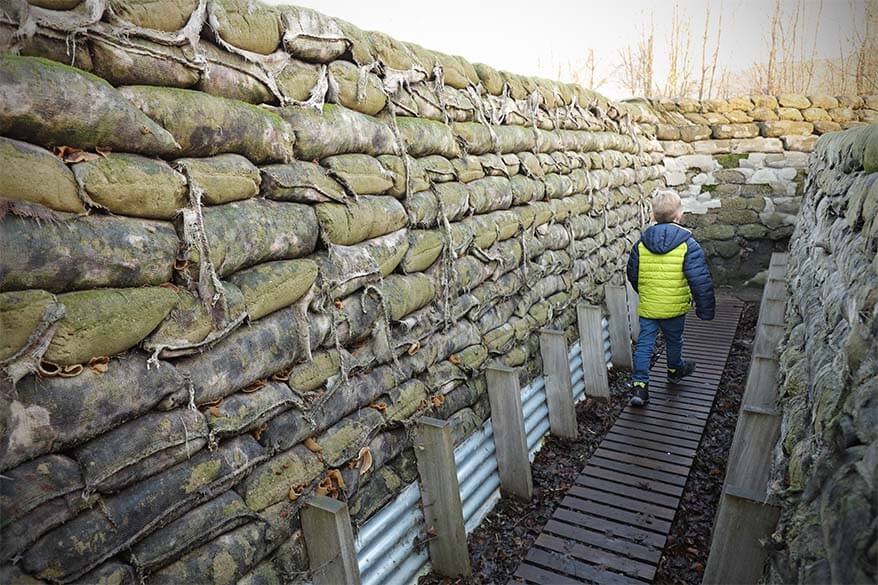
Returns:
<point x="193" y="324"/>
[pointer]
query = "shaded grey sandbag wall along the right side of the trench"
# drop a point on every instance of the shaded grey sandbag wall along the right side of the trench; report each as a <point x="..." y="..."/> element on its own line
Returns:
<point x="824" y="476"/>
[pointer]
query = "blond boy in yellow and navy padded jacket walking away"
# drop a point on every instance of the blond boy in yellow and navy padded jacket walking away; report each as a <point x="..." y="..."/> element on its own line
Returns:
<point x="667" y="268"/>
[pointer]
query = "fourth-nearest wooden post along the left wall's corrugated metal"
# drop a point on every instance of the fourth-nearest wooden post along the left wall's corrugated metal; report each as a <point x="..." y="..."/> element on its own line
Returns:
<point x="559" y="389"/>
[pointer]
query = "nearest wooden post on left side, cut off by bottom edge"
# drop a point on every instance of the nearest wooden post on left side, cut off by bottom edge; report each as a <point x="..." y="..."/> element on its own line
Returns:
<point x="326" y="526"/>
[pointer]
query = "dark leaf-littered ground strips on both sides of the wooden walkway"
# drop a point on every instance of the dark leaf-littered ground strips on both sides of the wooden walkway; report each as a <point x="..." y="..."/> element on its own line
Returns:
<point x="499" y="544"/>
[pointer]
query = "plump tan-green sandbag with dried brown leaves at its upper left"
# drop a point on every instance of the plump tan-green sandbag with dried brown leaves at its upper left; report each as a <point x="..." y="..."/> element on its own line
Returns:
<point x="133" y="185"/>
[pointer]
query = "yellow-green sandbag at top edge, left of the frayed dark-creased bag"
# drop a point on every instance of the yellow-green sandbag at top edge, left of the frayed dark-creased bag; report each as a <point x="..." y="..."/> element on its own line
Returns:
<point x="246" y="25"/>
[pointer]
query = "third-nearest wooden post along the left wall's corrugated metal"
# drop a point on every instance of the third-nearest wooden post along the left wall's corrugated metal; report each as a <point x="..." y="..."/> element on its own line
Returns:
<point x="510" y="438"/>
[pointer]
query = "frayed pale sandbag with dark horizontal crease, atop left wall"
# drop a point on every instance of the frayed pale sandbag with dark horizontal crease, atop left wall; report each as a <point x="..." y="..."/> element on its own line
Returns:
<point x="312" y="36"/>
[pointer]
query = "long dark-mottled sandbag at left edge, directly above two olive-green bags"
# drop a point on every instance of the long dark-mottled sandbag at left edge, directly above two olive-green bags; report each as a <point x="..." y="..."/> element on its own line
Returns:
<point x="86" y="252"/>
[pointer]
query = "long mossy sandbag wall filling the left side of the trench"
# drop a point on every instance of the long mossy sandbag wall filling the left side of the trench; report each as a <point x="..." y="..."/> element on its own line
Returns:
<point x="244" y="247"/>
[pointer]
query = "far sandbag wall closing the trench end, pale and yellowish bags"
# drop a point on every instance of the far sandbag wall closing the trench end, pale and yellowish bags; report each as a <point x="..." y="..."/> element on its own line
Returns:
<point x="740" y="166"/>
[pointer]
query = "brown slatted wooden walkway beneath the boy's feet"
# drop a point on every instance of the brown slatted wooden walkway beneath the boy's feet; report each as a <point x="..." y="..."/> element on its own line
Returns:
<point x="612" y="525"/>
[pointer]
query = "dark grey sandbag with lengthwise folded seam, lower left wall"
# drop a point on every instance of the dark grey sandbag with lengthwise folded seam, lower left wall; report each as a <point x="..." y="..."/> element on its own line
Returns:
<point x="141" y="448"/>
